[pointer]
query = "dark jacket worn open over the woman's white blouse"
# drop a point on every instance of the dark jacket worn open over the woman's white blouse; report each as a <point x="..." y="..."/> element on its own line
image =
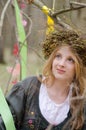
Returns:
<point x="23" y="101"/>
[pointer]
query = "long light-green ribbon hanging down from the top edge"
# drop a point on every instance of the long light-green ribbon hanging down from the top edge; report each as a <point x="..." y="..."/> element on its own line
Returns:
<point x="22" y="42"/>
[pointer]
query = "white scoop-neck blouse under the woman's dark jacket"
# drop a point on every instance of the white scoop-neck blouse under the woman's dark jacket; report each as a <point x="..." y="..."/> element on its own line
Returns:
<point x="52" y="112"/>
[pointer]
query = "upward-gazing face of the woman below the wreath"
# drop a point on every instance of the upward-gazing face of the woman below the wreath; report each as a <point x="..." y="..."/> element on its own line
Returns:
<point x="63" y="66"/>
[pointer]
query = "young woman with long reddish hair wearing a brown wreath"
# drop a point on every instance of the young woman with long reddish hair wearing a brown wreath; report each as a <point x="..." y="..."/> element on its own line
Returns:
<point x="56" y="99"/>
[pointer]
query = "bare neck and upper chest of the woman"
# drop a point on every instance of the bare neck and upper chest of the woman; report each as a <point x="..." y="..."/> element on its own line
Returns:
<point x="58" y="92"/>
